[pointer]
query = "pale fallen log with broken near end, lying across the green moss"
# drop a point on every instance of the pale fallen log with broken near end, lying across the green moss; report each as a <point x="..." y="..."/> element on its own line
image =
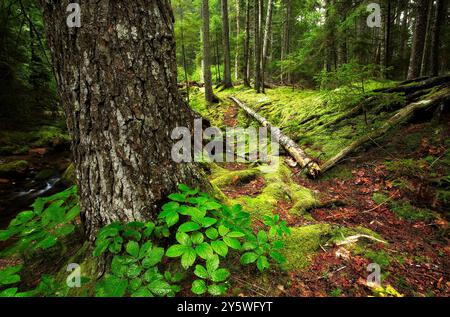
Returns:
<point x="311" y="166"/>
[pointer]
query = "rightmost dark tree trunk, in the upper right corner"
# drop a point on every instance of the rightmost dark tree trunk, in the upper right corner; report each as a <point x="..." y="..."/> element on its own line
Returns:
<point x="441" y="7"/>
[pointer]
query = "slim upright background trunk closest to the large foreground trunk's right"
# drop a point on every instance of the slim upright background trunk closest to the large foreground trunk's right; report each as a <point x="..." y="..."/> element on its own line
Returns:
<point x="209" y="94"/>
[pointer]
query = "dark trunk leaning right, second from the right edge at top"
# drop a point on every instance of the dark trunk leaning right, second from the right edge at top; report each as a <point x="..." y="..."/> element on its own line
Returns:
<point x="420" y="27"/>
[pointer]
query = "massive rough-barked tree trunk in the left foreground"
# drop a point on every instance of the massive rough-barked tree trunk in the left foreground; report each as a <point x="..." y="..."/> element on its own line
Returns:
<point x="117" y="80"/>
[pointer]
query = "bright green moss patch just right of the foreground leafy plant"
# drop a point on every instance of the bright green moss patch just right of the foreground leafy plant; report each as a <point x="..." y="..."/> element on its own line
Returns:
<point x="303" y="243"/>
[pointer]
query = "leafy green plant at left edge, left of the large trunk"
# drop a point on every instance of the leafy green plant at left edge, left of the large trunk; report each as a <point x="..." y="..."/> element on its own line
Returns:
<point x="51" y="219"/>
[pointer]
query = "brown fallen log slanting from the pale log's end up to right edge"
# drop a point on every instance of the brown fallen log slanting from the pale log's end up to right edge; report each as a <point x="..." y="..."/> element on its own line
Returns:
<point x="402" y="115"/>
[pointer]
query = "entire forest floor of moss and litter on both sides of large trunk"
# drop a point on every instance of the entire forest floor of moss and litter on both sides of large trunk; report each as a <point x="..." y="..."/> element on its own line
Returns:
<point x="394" y="191"/>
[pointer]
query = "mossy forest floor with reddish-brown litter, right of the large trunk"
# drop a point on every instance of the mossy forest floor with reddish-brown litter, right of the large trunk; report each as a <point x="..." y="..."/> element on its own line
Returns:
<point x="385" y="191"/>
